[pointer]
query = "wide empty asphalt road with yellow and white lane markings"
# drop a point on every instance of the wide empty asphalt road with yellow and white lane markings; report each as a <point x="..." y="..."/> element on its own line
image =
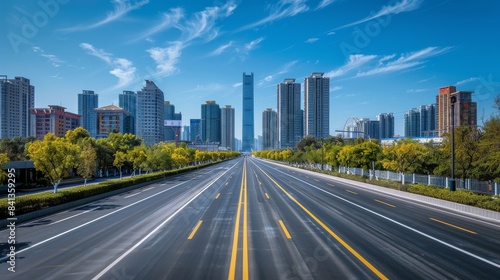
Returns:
<point x="250" y="219"/>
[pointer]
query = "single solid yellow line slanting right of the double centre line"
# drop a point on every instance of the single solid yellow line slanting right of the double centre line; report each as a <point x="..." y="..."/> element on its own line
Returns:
<point x="327" y="229"/>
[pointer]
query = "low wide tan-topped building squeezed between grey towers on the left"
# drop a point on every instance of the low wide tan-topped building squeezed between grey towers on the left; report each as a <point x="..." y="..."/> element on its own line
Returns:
<point x="112" y="118"/>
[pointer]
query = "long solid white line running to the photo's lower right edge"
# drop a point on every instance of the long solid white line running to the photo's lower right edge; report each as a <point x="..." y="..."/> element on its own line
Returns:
<point x="398" y="223"/>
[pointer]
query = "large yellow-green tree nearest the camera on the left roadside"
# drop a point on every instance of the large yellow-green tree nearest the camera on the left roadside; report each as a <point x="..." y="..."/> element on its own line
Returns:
<point x="53" y="156"/>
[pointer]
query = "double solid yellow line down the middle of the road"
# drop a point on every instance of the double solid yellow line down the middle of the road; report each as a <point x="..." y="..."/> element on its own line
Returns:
<point x="234" y="253"/>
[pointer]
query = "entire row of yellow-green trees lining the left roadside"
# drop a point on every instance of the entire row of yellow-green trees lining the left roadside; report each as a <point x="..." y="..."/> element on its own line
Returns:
<point x="77" y="151"/>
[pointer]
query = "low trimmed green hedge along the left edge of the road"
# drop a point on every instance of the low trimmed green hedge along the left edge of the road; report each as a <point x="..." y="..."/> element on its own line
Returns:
<point x="33" y="202"/>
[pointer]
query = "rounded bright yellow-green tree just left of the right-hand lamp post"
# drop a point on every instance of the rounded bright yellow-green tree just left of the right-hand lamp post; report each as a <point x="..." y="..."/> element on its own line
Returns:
<point x="405" y="155"/>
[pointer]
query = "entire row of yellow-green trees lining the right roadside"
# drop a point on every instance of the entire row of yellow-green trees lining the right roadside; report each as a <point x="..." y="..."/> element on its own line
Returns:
<point x="477" y="153"/>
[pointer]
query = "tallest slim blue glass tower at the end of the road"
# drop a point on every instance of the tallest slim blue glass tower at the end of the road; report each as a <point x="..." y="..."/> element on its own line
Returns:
<point x="248" y="116"/>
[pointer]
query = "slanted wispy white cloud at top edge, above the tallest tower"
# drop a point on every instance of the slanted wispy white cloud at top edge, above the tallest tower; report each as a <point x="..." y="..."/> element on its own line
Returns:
<point x="283" y="9"/>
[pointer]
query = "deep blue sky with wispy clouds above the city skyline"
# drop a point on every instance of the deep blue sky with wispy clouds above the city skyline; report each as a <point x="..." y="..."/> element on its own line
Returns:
<point x="382" y="56"/>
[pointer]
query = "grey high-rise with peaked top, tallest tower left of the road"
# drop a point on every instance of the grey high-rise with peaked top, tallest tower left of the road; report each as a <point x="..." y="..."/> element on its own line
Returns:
<point x="150" y="122"/>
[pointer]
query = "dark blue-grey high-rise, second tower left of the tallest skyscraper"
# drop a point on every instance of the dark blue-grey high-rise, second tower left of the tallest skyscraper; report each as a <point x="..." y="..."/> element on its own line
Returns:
<point x="210" y="122"/>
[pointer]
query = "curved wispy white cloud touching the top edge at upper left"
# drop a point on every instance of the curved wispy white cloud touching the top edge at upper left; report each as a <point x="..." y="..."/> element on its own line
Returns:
<point x="121" y="8"/>
